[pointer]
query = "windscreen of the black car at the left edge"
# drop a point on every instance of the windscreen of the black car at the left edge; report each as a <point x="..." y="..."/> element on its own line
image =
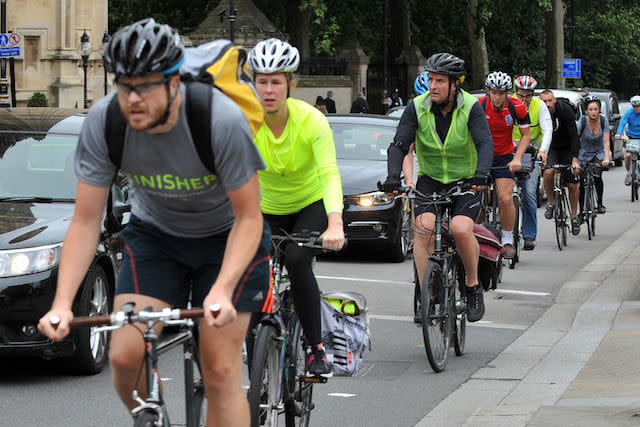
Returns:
<point x="37" y="165"/>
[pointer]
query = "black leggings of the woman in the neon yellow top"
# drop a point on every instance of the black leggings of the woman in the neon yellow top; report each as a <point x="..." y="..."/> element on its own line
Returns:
<point x="306" y="295"/>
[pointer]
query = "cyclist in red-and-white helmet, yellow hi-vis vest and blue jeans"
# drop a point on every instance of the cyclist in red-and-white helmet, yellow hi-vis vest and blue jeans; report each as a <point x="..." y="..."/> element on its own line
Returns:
<point x="541" y="129"/>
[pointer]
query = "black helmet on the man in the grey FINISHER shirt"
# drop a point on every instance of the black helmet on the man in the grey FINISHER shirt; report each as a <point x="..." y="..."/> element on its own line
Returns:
<point x="143" y="48"/>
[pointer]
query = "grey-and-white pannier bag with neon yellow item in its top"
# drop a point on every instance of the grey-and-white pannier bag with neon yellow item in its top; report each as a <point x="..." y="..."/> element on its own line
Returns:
<point x="345" y="330"/>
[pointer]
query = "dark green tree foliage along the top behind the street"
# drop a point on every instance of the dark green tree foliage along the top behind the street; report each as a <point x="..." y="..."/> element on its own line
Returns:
<point x="607" y="32"/>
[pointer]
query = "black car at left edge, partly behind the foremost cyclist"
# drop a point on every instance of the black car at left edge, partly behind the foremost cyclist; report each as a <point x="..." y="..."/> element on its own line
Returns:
<point x="37" y="197"/>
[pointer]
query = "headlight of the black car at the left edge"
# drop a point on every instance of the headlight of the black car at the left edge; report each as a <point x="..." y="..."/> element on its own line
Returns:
<point x="26" y="261"/>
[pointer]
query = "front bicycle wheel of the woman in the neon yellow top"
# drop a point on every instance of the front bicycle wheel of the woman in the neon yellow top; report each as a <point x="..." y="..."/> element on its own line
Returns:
<point x="263" y="375"/>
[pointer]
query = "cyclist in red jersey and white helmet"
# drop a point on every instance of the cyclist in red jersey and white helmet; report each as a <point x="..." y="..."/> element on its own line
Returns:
<point x="503" y="112"/>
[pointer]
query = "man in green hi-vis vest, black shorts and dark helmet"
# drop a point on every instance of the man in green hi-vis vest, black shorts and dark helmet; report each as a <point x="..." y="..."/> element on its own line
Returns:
<point x="453" y="143"/>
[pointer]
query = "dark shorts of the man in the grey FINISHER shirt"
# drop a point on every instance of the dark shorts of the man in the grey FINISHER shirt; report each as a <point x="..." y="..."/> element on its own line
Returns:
<point x="156" y="264"/>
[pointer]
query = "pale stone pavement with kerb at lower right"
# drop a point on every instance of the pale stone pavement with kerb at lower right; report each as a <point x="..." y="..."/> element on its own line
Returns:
<point x="578" y="365"/>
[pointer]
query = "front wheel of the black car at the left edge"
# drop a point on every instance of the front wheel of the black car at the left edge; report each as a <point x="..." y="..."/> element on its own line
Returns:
<point x="91" y="353"/>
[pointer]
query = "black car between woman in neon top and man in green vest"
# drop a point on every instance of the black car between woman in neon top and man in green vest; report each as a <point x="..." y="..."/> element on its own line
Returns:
<point x="370" y="216"/>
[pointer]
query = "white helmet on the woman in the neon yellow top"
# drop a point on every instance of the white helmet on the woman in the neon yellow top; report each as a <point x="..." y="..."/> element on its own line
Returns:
<point x="273" y="56"/>
